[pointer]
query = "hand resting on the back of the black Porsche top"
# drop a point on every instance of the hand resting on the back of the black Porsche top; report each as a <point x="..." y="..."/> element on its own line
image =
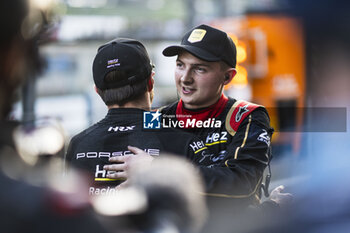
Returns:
<point x="123" y="164"/>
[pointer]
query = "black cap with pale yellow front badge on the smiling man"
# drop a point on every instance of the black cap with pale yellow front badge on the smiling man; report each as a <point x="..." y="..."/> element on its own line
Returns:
<point x="206" y="43"/>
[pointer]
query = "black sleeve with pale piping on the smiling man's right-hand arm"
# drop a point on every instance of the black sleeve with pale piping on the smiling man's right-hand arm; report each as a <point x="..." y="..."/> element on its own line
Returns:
<point x="240" y="173"/>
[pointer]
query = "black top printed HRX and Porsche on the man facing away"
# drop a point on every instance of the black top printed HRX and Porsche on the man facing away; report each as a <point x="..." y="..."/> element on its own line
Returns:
<point x="91" y="149"/>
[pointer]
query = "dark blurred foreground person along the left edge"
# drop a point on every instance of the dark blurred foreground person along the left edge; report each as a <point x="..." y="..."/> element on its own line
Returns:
<point x="23" y="207"/>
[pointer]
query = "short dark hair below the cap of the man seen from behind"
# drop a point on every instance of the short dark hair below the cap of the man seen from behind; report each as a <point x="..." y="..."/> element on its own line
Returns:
<point x="122" y="95"/>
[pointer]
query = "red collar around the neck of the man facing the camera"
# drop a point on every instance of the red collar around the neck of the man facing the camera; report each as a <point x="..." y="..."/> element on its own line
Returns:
<point x="212" y="111"/>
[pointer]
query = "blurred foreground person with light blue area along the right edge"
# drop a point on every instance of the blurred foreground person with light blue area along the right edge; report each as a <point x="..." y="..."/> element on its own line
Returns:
<point x="322" y="198"/>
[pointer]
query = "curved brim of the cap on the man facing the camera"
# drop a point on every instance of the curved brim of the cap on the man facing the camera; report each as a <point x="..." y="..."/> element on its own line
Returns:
<point x="197" y="52"/>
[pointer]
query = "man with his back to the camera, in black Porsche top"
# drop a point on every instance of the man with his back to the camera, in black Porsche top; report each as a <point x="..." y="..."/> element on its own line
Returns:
<point x="123" y="77"/>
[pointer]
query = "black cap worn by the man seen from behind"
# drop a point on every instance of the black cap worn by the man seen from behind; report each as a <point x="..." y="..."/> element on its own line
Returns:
<point x="123" y="54"/>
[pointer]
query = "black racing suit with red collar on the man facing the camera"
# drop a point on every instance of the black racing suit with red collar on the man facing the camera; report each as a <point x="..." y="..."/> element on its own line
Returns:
<point x="234" y="168"/>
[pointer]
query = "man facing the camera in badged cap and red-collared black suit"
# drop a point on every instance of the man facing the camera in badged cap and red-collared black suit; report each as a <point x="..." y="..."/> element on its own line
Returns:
<point x="240" y="146"/>
